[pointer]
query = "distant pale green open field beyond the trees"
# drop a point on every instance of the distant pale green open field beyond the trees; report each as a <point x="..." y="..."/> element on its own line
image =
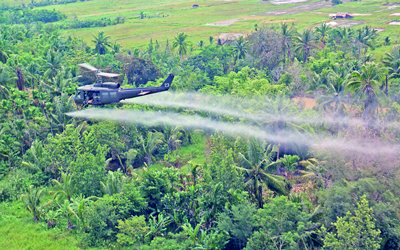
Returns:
<point x="219" y="17"/>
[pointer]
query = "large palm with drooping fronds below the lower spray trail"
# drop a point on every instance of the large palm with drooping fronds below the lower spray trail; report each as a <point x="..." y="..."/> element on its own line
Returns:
<point x="255" y="165"/>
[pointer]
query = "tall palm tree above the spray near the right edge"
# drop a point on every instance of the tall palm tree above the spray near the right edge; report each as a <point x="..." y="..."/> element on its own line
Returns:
<point x="365" y="84"/>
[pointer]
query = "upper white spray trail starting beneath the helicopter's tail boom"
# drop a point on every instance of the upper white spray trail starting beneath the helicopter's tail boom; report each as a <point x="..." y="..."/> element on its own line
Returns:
<point x="235" y="107"/>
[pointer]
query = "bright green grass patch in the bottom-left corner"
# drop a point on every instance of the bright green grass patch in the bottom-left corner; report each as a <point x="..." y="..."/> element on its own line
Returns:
<point x="18" y="231"/>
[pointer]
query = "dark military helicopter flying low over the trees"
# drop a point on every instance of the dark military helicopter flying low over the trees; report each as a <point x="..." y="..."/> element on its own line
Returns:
<point x="110" y="92"/>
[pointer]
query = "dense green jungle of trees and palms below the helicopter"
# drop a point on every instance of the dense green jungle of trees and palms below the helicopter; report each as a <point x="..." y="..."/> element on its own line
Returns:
<point x="117" y="184"/>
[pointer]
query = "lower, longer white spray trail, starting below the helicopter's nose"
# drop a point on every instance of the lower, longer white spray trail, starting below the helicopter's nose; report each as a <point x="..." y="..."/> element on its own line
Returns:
<point x="154" y="118"/>
